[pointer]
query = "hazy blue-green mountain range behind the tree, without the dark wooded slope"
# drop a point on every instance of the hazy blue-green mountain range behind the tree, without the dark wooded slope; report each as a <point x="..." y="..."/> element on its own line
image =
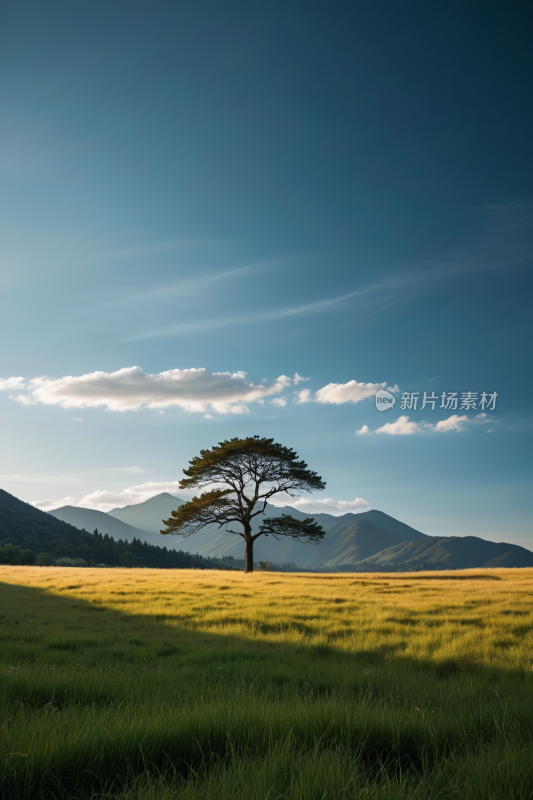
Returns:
<point x="368" y="541"/>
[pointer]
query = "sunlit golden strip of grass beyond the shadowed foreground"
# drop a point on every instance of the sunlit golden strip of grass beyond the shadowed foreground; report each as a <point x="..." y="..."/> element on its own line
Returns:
<point x="473" y="616"/>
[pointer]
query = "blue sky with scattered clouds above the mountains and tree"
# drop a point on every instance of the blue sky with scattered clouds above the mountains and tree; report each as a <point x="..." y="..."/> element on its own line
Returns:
<point x="338" y="192"/>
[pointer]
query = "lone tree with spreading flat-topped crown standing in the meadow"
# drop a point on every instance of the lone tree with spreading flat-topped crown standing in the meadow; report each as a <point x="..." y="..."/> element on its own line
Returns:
<point x="251" y="471"/>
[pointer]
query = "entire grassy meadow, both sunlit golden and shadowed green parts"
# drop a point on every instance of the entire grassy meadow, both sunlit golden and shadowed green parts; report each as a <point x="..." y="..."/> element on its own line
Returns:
<point x="157" y="684"/>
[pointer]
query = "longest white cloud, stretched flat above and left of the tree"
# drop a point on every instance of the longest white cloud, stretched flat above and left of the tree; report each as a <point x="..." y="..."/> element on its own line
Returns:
<point x="130" y="388"/>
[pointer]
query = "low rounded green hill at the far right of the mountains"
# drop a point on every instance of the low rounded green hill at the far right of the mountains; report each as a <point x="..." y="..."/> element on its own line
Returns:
<point x="453" y="552"/>
